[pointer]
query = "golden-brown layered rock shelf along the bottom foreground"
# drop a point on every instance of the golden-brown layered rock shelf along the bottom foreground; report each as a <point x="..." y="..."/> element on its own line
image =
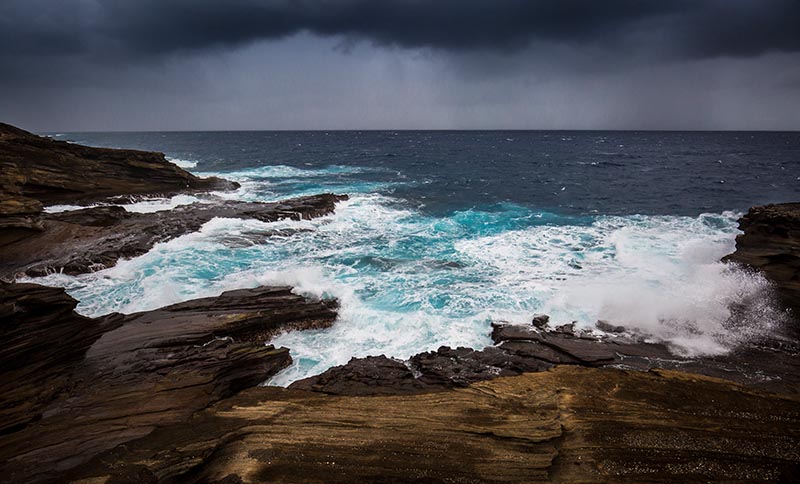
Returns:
<point x="566" y="425"/>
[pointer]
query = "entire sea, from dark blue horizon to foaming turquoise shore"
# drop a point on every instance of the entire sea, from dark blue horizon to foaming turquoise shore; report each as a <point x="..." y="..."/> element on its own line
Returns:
<point x="447" y="231"/>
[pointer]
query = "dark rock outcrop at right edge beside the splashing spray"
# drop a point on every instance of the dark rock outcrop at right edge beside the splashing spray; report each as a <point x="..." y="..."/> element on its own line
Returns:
<point x="771" y="244"/>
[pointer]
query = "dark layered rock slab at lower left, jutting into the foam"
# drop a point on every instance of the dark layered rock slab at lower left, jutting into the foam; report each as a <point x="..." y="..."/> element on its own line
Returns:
<point x="74" y="387"/>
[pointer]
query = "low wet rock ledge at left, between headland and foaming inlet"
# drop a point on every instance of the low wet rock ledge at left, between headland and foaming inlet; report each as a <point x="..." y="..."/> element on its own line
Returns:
<point x="90" y="239"/>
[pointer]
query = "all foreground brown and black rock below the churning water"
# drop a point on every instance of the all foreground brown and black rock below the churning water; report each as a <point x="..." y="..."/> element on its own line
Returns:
<point x="169" y="396"/>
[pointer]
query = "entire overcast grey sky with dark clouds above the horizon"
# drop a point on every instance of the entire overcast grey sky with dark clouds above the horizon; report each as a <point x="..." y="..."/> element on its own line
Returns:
<point x="71" y="65"/>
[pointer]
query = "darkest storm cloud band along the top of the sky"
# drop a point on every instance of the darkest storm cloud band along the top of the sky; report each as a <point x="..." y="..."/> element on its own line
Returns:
<point x="112" y="29"/>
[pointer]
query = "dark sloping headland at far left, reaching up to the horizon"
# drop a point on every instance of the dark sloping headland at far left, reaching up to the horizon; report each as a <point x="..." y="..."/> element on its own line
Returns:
<point x="37" y="171"/>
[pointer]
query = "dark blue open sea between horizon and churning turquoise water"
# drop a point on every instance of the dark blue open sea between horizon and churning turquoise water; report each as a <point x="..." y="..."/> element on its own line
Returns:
<point x="620" y="173"/>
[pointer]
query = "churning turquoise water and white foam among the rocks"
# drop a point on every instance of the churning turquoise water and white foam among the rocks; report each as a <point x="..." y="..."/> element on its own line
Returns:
<point x="411" y="278"/>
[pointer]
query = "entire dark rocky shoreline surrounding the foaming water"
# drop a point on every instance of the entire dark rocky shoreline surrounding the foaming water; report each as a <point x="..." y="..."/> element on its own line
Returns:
<point x="172" y="395"/>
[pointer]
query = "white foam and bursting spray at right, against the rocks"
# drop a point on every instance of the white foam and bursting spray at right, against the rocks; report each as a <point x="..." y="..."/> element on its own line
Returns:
<point x="659" y="276"/>
